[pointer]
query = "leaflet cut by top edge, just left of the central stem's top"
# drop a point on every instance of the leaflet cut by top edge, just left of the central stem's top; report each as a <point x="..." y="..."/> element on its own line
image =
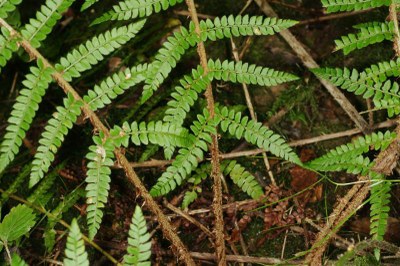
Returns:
<point x="132" y="9"/>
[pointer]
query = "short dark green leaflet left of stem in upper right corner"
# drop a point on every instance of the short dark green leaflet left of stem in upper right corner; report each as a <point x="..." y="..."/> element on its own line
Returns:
<point x="376" y="33"/>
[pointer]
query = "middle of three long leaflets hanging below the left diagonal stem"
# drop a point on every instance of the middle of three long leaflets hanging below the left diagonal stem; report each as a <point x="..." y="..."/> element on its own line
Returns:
<point x="53" y="137"/>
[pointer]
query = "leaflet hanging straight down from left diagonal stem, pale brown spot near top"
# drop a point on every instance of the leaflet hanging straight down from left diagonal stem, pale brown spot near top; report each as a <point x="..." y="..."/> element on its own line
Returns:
<point x="98" y="181"/>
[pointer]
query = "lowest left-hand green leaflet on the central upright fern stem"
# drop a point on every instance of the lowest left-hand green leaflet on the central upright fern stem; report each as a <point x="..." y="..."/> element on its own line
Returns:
<point x="187" y="159"/>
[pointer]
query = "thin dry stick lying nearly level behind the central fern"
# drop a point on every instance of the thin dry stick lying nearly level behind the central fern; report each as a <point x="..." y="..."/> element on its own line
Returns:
<point x="295" y="143"/>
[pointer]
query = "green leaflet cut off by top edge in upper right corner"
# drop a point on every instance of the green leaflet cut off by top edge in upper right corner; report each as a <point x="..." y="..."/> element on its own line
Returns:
<point x="349" y="5"/>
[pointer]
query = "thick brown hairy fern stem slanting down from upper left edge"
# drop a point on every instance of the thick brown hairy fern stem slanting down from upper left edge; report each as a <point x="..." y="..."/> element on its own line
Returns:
<point x="181" y="250"/>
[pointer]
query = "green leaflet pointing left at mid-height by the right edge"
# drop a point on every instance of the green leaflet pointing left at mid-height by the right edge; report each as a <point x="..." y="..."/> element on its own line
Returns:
<point x="344" y="156"/>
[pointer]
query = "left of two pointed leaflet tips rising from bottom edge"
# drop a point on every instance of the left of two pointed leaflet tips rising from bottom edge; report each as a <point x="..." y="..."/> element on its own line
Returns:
<point x="75" y="253"/>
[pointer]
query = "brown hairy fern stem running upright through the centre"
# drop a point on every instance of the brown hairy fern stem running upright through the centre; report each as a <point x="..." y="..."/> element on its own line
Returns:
<point x="215" y="171"/>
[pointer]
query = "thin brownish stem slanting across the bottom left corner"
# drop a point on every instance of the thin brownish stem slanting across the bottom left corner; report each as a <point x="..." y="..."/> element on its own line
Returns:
<point x="62" y="222"/>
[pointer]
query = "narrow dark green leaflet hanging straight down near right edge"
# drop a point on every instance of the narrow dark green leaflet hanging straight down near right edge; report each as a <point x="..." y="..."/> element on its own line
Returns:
<point x="380" y="200"/>
